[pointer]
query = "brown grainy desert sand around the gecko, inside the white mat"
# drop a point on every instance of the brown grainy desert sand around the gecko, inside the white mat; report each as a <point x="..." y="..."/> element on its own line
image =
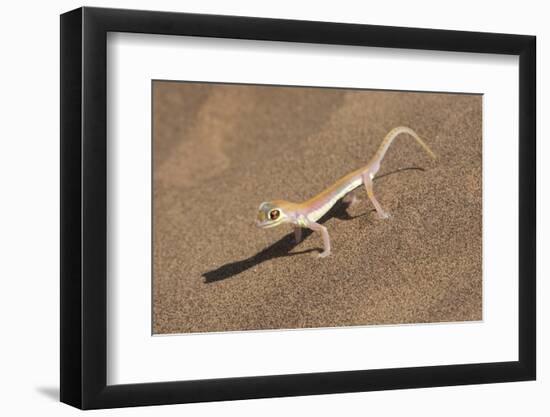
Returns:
<point x="220" y="150"/>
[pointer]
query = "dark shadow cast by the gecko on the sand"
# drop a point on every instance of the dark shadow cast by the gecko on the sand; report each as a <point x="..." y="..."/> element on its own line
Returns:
<point x="284" y="246"/>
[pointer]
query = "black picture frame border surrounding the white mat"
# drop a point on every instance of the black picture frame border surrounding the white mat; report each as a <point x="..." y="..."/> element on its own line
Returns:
<point x="84" y="207"/>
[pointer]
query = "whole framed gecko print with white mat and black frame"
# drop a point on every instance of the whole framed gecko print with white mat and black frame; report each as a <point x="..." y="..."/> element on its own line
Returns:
<point x="258" y="207"/>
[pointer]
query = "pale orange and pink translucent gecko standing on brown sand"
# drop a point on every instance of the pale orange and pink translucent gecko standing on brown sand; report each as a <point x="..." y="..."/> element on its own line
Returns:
<point x="306" y="215"/>
